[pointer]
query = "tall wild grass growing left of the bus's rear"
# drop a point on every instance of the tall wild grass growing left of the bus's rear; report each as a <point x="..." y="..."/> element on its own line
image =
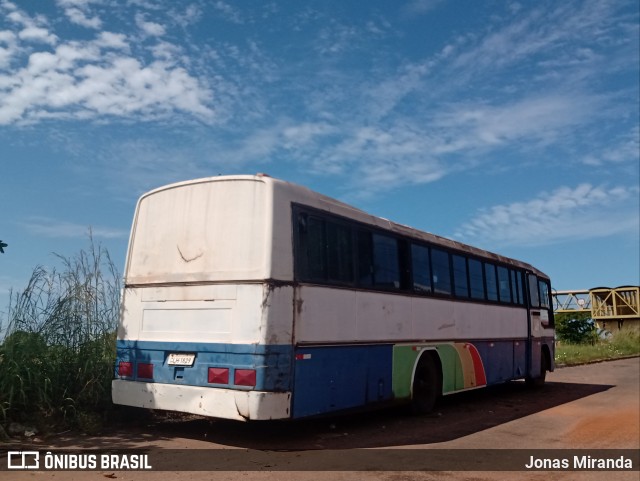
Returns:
<point x="56" y="361"/>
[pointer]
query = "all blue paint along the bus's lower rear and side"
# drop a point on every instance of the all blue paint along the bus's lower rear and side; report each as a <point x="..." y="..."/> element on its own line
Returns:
<point x="322" y="379"/>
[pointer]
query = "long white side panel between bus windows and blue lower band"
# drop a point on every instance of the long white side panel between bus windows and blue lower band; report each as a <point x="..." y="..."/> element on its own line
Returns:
<point x="326" y="314"/>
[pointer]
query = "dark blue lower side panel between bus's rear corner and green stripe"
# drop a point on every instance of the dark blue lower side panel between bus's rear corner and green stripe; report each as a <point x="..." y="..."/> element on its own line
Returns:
<point x="334" y="378"/>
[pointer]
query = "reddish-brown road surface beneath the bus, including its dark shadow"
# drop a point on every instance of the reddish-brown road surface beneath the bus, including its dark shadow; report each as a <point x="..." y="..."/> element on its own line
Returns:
<point x="594" y="406"/>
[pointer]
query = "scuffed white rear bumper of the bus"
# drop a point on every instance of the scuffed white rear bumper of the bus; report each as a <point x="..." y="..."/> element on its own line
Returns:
<point x="204" y="401"/>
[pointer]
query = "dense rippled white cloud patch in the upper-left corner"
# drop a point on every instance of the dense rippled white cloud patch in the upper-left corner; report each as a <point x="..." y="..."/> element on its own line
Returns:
<point x="94" y="78"/>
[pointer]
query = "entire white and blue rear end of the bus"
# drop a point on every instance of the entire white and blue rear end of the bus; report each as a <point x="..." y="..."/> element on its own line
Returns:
<point x="201" y="327"/>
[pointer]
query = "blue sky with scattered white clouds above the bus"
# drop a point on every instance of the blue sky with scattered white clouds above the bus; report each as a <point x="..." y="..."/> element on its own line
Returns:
<point x="511" y="126"/>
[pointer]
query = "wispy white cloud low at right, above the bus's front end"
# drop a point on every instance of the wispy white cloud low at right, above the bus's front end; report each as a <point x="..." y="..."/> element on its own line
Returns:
<point x="566" y="214"/>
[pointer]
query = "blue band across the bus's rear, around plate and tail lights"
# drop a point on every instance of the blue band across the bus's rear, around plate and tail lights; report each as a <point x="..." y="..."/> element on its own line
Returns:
<point x="272" y="363"/>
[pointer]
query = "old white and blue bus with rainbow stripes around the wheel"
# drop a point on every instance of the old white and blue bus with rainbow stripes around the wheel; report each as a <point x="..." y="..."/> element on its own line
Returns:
<point x="247" y="297"/>
